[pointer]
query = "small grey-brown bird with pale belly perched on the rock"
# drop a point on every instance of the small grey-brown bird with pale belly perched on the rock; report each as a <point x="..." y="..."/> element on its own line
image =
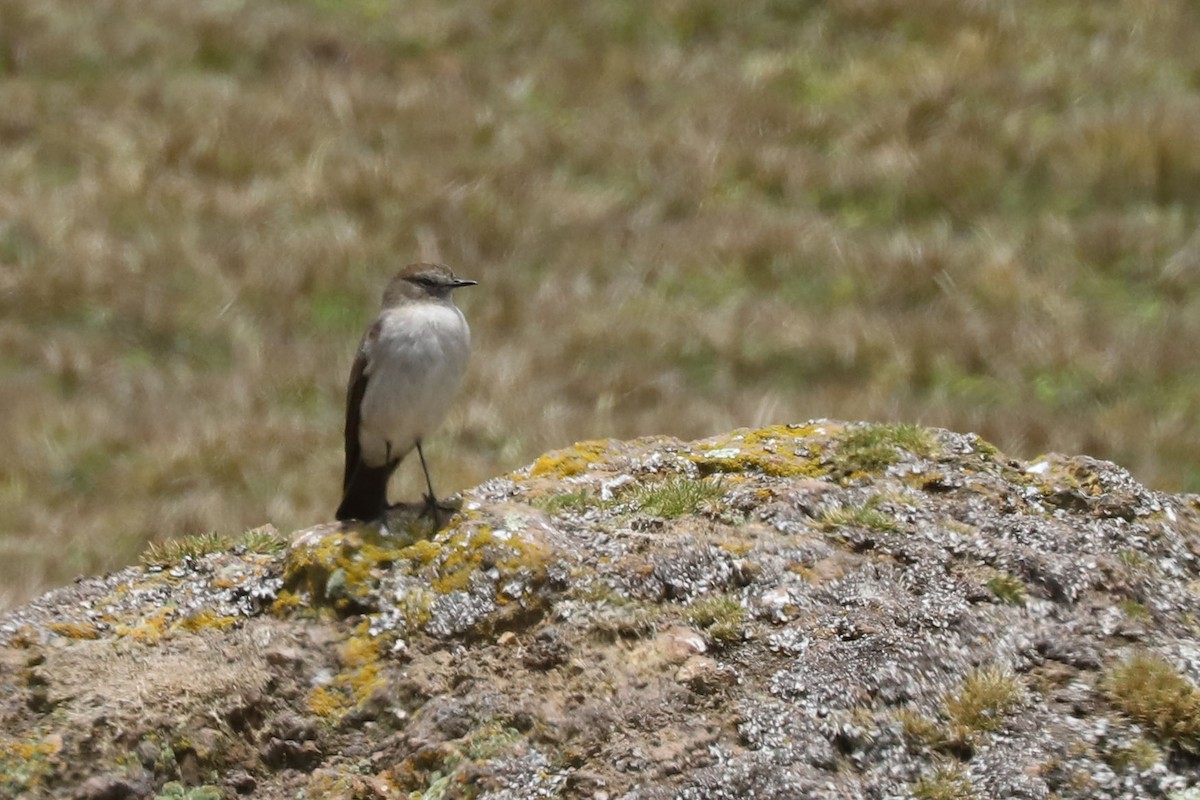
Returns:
<point x="407" y="371"/>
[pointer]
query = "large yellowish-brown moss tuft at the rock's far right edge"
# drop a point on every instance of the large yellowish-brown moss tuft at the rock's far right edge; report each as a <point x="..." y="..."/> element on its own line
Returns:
<point x="1159" y="697"/>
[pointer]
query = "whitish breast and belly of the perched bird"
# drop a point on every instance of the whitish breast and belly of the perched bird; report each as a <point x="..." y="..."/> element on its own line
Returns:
<point x="415" y="369"/>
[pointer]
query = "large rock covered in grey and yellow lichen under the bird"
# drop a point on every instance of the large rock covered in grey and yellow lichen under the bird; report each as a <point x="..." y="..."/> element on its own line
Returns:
<point x="814" y="611"/>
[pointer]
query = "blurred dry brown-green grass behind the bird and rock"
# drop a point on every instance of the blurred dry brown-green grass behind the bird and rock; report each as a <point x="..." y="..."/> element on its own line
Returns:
<point x="685" y="216"/>
